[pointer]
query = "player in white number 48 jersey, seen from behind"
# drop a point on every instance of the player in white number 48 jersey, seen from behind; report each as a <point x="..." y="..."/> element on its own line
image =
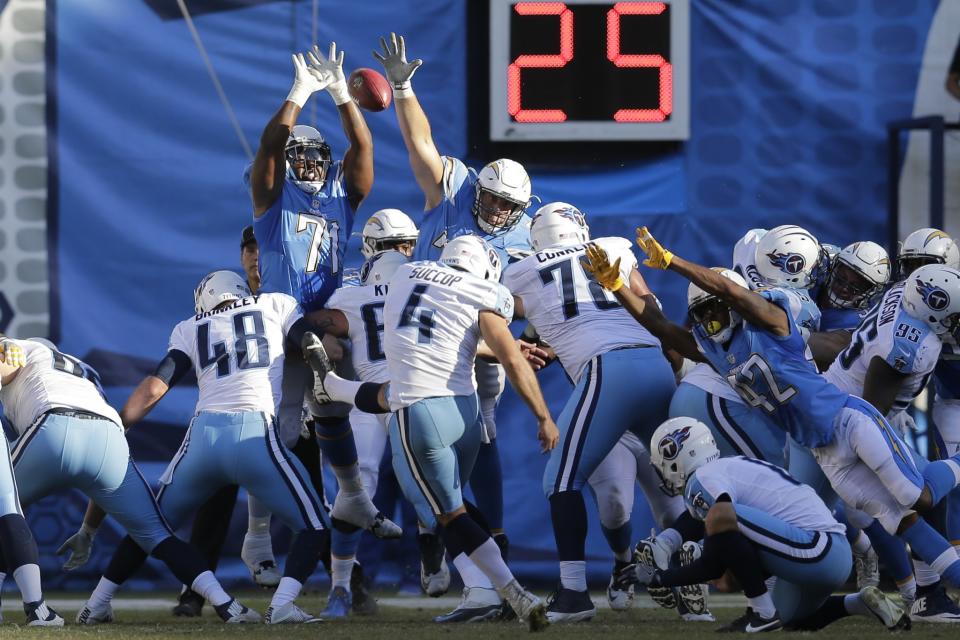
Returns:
<point x="235" y="343"/>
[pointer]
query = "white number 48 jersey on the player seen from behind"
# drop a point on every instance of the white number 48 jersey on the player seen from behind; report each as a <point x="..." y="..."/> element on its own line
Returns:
<point x="238" y="351"/>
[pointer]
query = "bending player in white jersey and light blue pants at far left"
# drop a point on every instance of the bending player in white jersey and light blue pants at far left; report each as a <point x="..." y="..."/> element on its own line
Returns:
<point x="71" y="438"/>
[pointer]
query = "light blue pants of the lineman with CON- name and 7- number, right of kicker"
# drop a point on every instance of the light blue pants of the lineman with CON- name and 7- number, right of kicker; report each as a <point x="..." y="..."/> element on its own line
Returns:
<point x="619" y="390"/>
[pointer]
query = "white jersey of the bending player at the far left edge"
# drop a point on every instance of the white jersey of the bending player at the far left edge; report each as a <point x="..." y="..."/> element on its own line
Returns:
<point x="51" y="380"/>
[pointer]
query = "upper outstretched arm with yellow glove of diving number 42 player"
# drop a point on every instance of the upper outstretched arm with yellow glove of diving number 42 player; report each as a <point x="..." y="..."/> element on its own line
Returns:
<point x="753" y="307"/>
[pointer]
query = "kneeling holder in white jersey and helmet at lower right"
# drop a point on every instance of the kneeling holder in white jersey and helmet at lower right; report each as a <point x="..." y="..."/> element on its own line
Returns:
<point x="759" y="521"/>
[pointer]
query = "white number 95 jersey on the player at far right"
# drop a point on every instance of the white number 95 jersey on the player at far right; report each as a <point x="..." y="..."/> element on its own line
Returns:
<point x="904" y="342"/>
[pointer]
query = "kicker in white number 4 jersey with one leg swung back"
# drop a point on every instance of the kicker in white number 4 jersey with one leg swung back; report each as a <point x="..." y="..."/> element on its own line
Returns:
<point x="434" y="317"/>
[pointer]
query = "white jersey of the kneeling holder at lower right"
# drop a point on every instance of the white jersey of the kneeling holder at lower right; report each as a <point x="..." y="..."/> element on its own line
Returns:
<point x="762" y="486"/>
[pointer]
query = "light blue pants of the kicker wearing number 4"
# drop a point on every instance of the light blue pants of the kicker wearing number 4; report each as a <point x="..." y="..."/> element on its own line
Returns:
<point x="434" y="444"/>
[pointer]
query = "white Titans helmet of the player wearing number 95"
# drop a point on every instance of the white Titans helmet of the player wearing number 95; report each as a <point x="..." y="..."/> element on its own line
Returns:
<point x="932" y="294"/>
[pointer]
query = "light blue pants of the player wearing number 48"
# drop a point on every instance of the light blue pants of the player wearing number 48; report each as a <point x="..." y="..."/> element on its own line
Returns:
<point x="242" y="448"/>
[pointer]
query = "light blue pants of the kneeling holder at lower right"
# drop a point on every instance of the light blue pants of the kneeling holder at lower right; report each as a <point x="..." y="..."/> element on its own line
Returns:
<point x="809" y="565"/>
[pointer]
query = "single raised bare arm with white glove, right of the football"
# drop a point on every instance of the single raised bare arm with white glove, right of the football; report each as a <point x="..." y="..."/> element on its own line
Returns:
<point x="425" y="160"/>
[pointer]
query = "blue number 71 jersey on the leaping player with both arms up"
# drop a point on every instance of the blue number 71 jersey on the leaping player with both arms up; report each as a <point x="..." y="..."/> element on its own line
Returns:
<point x="303" y="239"/>
